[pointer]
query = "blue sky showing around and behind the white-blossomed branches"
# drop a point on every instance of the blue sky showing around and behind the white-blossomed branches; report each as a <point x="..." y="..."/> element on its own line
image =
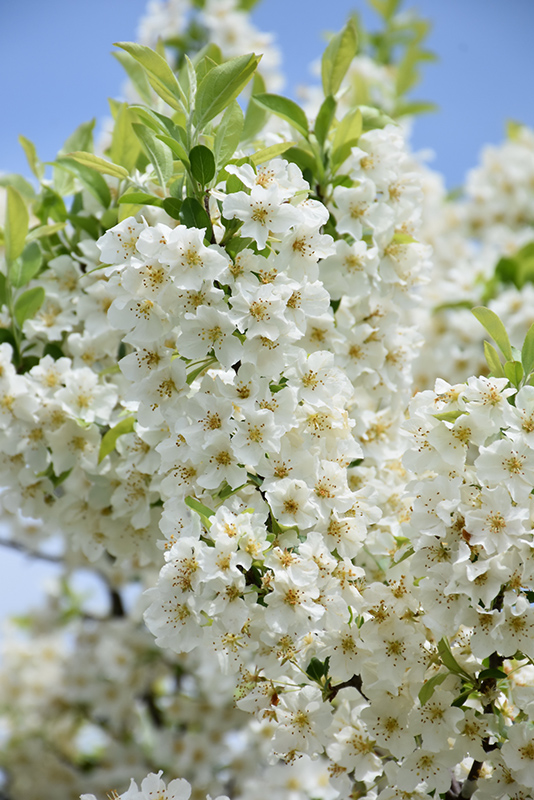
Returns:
<point x="57" y="71"/>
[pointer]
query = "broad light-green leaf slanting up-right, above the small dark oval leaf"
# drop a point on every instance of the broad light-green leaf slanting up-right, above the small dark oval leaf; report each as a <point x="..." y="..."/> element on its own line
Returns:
<point x="222" y="85"/>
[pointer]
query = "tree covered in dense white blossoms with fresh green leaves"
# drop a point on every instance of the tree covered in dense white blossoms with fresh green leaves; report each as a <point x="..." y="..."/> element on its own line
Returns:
<point x="319" y="583"/>
